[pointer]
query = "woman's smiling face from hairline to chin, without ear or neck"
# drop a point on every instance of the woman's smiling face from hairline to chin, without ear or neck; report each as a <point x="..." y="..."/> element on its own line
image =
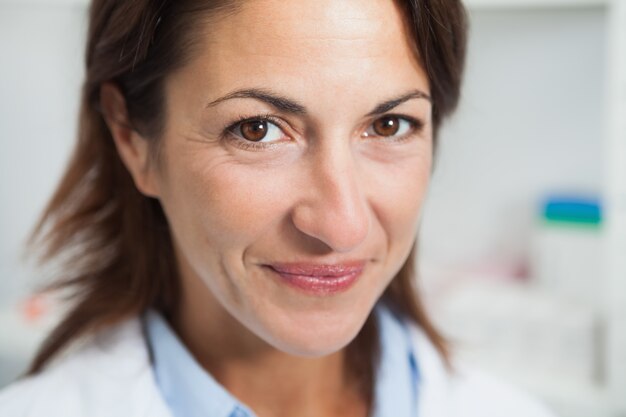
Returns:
<point x="295" y="220"/>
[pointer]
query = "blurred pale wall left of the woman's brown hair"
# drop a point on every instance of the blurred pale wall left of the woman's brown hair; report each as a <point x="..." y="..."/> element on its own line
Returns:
<point x="40" y="79"/>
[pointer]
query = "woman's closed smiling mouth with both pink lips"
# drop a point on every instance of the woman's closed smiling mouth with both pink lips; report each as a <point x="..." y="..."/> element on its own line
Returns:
<point x="318" y="279"/>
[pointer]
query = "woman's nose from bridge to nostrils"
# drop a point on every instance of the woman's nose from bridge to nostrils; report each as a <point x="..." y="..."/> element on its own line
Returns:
<point x="335" y="208"/>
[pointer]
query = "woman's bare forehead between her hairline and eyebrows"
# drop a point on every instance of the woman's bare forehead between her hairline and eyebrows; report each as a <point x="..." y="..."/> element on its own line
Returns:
<point x="340" y="44"/>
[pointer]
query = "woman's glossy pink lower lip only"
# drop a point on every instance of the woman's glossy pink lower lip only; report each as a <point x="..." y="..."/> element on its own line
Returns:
<point x="319" y="285"/>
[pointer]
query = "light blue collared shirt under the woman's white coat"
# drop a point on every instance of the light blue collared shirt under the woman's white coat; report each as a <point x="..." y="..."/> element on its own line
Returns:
<point x="190" y="391"/>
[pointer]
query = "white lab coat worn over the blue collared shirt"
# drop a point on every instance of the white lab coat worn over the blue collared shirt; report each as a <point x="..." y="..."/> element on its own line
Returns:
<point x="111" y="376"/>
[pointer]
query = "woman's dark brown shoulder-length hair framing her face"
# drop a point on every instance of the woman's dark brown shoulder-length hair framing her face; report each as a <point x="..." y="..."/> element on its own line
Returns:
<point x="113" y="242"/>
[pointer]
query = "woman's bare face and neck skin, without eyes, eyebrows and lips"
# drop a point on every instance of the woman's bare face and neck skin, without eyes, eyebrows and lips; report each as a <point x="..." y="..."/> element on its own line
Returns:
<point x="325" y="195"/>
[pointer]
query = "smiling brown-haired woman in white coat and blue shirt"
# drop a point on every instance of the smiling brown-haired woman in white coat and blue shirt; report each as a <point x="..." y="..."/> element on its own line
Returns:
<point x="238" y="220"/>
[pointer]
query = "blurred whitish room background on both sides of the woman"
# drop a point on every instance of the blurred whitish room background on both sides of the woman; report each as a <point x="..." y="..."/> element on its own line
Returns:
<point x="522" y="252"/>
